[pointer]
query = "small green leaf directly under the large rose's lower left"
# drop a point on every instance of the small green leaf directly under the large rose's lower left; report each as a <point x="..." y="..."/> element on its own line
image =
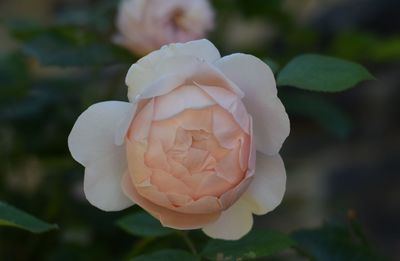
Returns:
<point x="143" y="224"/>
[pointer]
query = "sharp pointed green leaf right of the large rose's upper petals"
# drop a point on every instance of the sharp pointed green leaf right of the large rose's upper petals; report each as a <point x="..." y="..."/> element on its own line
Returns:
<point x="321" y="73"/>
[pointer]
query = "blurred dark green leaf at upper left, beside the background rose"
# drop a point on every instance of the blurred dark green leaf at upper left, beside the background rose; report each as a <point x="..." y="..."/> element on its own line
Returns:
<point x="67" y="45"/>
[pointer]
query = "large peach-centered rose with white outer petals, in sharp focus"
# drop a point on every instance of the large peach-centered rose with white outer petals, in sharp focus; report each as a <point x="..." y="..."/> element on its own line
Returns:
<point x="184" y="147"/>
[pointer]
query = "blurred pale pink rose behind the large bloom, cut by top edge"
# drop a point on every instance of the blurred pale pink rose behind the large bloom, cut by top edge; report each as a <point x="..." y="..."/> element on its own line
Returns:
<point x="146" y="25"/>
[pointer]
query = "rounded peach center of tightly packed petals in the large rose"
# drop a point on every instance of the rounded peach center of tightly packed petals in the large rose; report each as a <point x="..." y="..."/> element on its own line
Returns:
<point x="188" y="161"/>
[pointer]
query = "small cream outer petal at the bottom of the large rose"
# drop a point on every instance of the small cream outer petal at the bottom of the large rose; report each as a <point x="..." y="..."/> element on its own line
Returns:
<point x="234" y="223"/>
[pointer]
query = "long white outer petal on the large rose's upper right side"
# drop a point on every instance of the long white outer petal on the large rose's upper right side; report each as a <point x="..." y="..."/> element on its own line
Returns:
<point x="255" y="78"/>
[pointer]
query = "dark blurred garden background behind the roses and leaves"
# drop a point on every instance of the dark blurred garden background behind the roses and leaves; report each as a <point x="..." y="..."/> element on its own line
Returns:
<point x="342" y="156"/>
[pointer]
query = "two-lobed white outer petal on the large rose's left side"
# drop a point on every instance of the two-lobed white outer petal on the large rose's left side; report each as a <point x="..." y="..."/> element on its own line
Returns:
<point x="92" y="143"/>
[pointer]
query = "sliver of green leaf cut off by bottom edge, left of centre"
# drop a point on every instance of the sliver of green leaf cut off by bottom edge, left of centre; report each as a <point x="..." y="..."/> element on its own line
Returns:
<point x="168" y="255"/>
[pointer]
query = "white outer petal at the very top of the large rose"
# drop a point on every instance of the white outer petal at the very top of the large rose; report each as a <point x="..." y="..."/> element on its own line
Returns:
<point x="146" y="70"/>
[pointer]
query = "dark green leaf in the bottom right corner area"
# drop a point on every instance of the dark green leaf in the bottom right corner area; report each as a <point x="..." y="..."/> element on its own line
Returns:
<point x="333" y="243"/>
